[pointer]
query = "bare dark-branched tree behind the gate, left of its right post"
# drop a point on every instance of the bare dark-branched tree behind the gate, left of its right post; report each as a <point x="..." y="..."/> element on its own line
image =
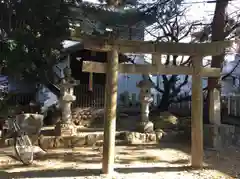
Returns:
<point x="173" y="29"/>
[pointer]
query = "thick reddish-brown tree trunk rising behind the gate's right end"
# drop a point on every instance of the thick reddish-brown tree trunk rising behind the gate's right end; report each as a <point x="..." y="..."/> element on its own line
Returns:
<point x="218" y="26"/>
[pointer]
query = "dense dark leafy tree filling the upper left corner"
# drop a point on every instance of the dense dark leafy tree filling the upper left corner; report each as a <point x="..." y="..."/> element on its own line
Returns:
<point x="31" y="35"/>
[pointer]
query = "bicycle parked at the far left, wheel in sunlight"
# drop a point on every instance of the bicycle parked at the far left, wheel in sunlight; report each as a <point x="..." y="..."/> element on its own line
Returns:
<point x="22" y="144"/>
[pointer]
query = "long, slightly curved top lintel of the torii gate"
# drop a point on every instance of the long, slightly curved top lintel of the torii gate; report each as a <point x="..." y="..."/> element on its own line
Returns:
<point x="147" y="47"/>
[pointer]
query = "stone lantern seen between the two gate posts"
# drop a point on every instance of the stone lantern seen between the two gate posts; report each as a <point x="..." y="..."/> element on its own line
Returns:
<point x="145" y="96"/>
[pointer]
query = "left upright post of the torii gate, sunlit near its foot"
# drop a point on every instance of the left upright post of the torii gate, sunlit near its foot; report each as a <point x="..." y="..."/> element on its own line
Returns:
<point x="110" y="112"/>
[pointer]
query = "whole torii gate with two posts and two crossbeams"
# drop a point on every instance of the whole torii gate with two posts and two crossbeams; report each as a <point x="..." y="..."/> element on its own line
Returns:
<point x="112" y="68"/>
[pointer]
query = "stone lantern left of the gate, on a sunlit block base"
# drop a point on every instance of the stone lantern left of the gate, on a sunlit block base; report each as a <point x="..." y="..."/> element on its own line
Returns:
<point x="66" y="126"/>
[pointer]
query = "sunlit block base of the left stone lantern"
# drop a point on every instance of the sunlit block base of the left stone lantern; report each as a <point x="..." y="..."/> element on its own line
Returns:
<point x="65" y="129"/>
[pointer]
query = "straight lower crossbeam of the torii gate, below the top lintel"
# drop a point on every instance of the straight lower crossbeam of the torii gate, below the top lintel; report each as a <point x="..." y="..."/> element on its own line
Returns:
<point x="97" y="67"/>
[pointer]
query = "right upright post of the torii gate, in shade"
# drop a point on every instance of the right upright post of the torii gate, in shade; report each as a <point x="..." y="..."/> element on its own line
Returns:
<point x="197" y="114"/>
